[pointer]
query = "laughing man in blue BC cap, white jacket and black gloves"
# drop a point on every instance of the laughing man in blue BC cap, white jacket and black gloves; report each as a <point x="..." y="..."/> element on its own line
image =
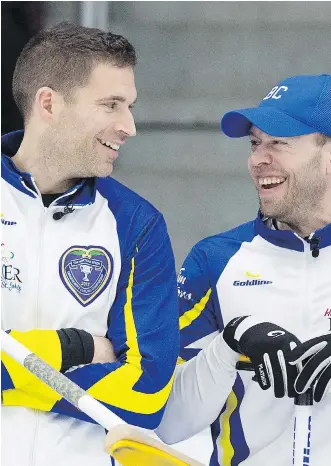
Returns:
<point x="260" y="290"/>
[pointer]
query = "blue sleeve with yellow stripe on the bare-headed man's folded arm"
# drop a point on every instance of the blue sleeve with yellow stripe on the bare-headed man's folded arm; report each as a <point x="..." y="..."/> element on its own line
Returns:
<point x="143" y="328"/>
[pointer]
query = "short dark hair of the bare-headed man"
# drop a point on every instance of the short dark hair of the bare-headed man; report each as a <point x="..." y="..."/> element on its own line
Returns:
<point x="63" y="58"/>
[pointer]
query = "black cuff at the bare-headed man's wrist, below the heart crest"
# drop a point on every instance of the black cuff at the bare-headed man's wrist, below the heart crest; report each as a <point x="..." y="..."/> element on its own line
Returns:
<point x="77" y="347"/>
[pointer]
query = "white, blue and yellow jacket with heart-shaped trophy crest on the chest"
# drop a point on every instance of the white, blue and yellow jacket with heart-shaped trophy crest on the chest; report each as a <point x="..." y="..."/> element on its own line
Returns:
<point x="108" y="268"/>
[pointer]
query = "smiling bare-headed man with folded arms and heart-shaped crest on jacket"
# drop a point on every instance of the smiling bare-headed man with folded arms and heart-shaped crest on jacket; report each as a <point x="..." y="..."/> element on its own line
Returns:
<point x="88" y="276"/>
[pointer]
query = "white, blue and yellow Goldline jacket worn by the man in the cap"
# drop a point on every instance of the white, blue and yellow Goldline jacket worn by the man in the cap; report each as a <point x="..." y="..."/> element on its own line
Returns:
<point x="270" y="274"/>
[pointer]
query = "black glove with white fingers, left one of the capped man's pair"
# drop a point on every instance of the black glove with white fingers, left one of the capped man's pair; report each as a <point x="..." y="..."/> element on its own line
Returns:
<point x="268" y="346"/>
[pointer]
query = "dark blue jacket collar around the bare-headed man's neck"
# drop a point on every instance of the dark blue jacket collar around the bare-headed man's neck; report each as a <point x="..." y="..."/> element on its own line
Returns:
<point x="80" y="195"/>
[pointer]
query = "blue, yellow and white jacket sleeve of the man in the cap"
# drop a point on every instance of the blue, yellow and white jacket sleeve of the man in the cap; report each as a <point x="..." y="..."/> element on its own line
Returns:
<point x="202" y="384"/>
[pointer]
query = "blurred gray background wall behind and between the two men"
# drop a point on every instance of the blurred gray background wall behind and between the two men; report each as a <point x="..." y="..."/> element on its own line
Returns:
<point x="196" y="61"/>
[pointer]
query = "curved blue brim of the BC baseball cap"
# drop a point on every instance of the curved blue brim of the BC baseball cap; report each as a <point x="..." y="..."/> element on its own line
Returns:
<point x="237" y="123"/>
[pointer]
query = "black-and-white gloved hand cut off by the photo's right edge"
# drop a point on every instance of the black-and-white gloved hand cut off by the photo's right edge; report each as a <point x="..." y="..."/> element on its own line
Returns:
<point x="318" y="367"/>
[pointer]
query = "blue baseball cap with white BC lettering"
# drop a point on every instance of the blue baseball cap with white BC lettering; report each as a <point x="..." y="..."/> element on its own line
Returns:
<point x="296" y="106"/>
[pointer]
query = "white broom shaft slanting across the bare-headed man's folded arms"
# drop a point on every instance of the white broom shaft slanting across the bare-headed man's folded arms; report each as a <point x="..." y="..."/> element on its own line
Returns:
<point x="59" y="382"/>
